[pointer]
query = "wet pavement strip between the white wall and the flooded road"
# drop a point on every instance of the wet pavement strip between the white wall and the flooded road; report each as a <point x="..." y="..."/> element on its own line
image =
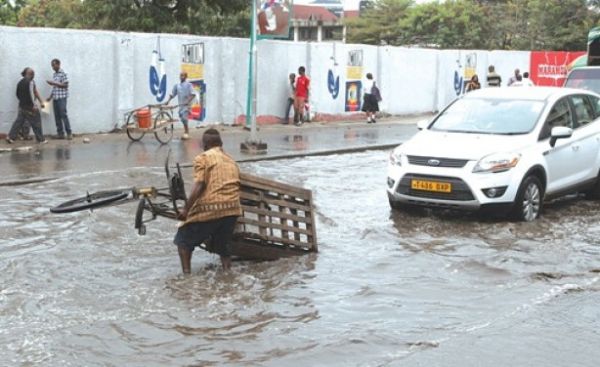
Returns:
<point x="24" y="161"/>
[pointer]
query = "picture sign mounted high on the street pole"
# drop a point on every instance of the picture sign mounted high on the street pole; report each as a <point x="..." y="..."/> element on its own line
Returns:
<point x="274" y="18"/>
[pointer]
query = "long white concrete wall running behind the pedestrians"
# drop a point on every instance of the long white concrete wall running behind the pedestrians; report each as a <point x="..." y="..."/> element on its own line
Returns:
<point x="108" y="73"/>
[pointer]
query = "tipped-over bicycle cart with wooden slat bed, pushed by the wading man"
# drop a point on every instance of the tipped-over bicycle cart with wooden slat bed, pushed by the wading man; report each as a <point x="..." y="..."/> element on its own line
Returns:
<point x="278" y="219"/>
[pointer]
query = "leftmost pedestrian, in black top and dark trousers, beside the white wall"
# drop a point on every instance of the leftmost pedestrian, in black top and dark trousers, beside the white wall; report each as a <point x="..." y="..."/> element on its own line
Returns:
<point x="29" y="113"/>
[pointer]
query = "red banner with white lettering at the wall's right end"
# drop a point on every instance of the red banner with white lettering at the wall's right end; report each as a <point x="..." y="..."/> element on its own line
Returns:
<point x="550" y="68"/>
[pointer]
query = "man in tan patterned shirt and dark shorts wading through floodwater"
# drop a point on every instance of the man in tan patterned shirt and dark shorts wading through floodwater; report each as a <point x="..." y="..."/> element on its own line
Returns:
<point x="214" y="203"/>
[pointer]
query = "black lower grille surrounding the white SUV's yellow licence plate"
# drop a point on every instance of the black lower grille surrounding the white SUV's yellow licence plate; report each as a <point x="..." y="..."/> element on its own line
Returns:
<point x="460" y="190"/>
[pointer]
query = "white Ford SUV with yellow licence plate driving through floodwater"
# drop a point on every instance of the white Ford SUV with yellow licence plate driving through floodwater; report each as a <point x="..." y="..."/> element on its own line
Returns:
<point x="502" y="149"/>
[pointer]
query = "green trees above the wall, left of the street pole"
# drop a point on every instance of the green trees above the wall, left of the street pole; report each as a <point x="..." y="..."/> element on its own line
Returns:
<point x="206" y="17"/>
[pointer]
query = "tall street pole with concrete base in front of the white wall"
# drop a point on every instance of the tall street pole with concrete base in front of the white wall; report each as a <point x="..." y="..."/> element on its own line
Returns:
<point x="253" y="145"/>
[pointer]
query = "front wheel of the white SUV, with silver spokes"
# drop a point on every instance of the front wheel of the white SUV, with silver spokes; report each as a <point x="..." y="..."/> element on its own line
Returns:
<point x="528" y="203"/>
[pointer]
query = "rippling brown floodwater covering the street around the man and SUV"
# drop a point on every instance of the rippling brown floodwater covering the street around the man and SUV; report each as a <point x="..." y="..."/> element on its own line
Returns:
<point x="386" y="289"/>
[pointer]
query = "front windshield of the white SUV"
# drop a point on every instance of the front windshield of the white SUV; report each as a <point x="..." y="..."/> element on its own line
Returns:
<point x="489" y="116"/>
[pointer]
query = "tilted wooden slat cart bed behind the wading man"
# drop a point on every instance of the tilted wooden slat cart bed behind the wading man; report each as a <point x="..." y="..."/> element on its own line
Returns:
<point x="278" y="220"/>
